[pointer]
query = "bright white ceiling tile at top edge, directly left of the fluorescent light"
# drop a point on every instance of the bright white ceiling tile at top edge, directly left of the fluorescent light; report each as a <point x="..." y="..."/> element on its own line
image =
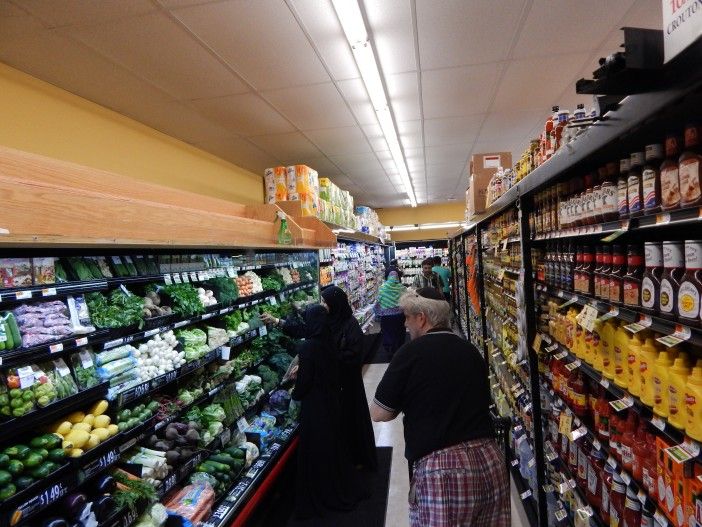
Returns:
<point x="322" y="24"/>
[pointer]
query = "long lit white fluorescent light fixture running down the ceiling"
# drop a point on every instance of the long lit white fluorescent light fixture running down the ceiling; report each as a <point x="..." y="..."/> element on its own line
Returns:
<point x="351" y="19"/>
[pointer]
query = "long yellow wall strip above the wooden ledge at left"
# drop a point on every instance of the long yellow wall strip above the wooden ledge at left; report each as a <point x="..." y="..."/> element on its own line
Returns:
<point x="38" y="117"/>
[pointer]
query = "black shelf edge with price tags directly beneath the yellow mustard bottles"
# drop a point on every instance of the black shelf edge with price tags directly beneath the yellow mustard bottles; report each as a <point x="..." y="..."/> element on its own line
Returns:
<point x="666" y="430"/>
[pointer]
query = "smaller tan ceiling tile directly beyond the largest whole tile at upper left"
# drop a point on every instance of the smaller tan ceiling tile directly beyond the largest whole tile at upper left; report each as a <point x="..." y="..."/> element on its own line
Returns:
<point x="245" y="114"/>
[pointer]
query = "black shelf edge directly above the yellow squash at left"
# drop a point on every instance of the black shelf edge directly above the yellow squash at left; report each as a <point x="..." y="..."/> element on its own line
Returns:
<point x="49" y="414"/>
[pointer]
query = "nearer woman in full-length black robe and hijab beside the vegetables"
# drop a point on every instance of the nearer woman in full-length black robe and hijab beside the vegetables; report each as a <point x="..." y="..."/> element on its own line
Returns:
<point x="325" y="477"/>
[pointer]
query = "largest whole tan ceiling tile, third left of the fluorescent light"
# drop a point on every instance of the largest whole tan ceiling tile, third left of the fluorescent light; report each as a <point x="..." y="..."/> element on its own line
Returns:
<point x="157" y="49"/>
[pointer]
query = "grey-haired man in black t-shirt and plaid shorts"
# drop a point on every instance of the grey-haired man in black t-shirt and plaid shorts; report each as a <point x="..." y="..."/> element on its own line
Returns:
<point x="440" y="384"/>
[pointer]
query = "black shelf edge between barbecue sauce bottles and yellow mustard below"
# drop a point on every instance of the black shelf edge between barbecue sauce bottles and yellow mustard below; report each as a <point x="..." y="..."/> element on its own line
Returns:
<point x="630" y="314"/>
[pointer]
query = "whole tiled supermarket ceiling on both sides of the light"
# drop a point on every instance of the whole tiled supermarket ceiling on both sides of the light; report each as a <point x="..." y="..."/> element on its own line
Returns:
<point x="268" y="82"/>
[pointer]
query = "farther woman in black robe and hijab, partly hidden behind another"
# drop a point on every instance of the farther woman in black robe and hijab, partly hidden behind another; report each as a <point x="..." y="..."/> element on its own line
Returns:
<point x="348" y="338"/>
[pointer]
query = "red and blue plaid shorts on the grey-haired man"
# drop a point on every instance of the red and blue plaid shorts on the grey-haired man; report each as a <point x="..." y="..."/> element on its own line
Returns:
<point x="463" y="485"/>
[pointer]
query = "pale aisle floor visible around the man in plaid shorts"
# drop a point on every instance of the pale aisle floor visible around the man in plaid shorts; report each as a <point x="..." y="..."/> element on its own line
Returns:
<point x="390" y="434"/>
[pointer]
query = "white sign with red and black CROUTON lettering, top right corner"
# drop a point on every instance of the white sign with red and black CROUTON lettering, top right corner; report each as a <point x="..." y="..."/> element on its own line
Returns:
<point x="682" y="25"/>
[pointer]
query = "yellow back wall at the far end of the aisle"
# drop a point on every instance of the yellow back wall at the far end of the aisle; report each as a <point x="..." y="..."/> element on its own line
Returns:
<point x="443" y="212"/>
